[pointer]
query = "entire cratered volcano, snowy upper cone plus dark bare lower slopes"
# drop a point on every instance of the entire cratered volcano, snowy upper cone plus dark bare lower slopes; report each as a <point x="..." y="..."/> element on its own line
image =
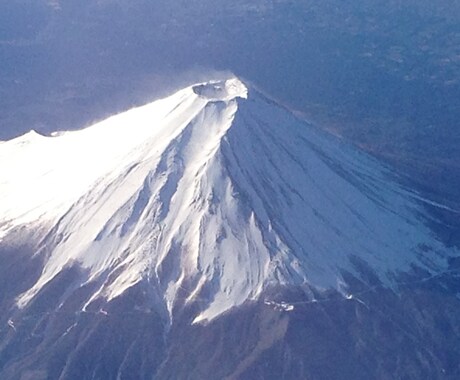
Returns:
<point x="214" y="235"/>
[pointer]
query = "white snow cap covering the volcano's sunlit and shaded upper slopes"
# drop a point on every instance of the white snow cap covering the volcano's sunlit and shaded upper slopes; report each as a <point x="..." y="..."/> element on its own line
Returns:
<point x="211" y="195"/>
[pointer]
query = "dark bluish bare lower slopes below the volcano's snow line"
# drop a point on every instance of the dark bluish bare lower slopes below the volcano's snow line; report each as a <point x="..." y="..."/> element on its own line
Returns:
<point x="374" y="334"/>
